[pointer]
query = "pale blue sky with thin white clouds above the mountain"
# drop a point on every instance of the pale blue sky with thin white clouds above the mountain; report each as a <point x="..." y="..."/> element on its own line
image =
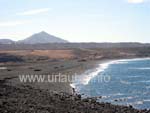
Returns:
<point x="77" y="20"/>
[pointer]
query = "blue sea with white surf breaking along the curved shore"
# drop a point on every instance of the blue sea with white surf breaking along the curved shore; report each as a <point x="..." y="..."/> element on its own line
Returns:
<point x="121" y="82"/>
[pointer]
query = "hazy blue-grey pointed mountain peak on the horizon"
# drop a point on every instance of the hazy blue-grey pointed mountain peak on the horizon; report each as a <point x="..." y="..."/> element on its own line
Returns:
<point x="41" y="38"/>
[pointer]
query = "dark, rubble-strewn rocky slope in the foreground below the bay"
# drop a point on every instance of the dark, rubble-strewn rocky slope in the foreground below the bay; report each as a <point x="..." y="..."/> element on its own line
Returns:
<point x="26" y="99"/>
